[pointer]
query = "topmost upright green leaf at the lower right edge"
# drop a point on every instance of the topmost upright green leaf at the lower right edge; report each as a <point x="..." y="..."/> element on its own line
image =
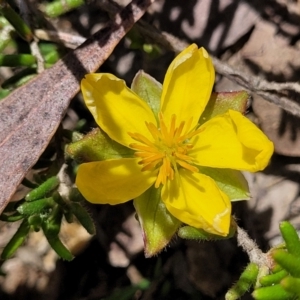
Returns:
<point x="290" y="237"/>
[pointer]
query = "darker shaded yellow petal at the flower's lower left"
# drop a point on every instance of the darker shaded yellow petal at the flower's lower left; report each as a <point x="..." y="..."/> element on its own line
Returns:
<point x="113" y="181"/>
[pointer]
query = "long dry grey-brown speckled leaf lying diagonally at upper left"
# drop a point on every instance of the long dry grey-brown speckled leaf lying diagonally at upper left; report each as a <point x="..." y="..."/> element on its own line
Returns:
<point x="30" y="115"/>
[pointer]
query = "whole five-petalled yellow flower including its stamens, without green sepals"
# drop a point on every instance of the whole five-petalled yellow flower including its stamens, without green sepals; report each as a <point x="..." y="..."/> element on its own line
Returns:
<point x="170" y="146"/>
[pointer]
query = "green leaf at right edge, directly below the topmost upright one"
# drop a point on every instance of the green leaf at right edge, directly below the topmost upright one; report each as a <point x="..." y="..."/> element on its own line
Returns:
<point x="289" y="262"/>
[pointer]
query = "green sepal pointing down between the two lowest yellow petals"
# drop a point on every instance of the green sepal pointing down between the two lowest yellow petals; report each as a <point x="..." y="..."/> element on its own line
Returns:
<point x="158" y="225"/>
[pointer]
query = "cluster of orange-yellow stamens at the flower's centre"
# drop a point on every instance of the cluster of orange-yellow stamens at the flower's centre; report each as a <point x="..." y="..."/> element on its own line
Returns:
<point x="169" y="149"/>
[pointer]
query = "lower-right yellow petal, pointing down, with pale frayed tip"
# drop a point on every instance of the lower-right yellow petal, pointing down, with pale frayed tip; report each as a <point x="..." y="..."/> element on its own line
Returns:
<point x="197" y="201"/>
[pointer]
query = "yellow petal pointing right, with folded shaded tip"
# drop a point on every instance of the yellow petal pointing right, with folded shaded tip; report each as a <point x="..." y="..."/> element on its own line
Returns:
<point x="232" y="141"/>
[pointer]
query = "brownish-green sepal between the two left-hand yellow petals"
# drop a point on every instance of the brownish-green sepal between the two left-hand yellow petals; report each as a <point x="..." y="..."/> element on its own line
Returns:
<point x="97" y="146"/>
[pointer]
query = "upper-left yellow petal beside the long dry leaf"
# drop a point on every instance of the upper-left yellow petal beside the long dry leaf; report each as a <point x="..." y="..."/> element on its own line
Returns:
<point x="116" y="109"/>
